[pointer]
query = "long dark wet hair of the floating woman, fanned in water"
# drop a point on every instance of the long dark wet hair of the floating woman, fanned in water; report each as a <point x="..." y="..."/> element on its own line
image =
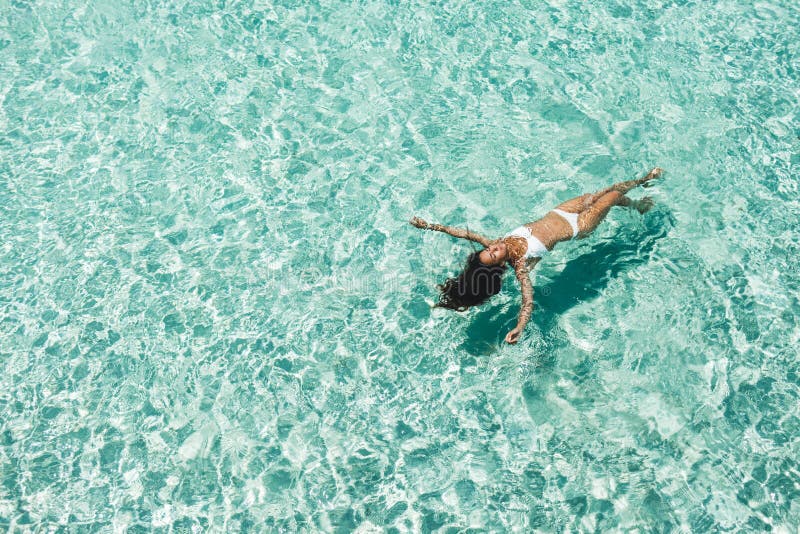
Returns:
<point x="473" y="286"/>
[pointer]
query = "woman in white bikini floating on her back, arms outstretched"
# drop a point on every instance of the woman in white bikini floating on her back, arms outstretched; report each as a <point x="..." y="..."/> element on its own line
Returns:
<point x="525" y="246"/>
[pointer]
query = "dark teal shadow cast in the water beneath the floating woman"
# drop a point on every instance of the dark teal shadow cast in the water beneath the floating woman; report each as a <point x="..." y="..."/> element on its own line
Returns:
<point x="583" y="278"/>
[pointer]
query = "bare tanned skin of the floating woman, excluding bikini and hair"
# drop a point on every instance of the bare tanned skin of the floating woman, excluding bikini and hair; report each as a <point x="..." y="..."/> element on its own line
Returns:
<point x="551" y="229"/>
